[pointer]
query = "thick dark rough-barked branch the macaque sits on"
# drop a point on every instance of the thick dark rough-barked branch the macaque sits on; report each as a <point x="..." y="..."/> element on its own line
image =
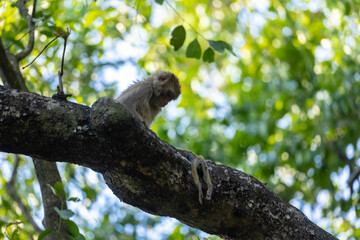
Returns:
<point x="144" y="171"/>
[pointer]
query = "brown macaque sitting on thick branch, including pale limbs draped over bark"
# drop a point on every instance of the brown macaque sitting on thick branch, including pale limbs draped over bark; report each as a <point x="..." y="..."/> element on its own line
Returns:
<point x="145" y="99"/>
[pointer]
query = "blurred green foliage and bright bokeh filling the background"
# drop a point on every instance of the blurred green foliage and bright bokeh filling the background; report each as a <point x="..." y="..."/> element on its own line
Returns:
<point x="282" y="104"/>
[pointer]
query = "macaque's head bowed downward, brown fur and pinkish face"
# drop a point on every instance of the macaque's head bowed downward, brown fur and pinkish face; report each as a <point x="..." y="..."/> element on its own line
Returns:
<point x="166" y="87"/>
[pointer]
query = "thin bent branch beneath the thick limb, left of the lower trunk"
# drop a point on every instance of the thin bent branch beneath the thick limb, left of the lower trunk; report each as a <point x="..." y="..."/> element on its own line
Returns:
<point x="11" y="190"/>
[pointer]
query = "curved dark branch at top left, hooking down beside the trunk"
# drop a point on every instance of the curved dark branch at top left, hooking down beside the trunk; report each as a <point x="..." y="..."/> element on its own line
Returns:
<point x="21" y="5"/>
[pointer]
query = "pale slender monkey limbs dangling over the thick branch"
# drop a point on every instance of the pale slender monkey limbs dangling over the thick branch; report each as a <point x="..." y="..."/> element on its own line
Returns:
<point x="195" y="162"/>
